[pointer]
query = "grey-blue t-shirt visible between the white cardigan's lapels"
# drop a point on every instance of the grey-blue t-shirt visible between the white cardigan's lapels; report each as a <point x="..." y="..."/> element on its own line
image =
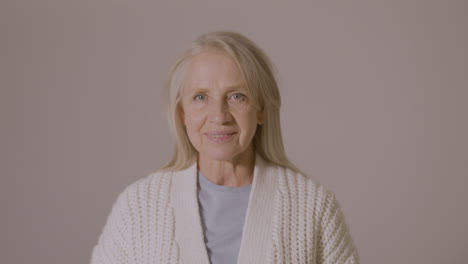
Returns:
<point x="222" y="211"/>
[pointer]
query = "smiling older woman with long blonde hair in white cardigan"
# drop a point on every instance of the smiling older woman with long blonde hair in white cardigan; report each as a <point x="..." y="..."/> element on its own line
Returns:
<point x="229" y="194"/>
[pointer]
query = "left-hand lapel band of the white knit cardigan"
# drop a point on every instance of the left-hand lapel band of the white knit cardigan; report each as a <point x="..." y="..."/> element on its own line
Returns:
<point x="188" y="231"/>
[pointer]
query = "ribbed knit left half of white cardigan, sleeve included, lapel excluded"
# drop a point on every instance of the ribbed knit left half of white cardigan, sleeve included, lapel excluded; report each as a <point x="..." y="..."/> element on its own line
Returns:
<point x="140" y="227"/>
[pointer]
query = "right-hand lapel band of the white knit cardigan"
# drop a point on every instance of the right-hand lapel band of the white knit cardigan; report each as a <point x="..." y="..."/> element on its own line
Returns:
<point x="257" y="231"/>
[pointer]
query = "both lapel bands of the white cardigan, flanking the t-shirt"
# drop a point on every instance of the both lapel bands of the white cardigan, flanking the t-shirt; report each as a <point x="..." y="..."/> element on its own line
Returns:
<point x="257" y="230"/>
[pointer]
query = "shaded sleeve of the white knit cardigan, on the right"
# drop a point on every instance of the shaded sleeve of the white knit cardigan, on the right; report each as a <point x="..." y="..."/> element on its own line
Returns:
<point x="335" y="243"/>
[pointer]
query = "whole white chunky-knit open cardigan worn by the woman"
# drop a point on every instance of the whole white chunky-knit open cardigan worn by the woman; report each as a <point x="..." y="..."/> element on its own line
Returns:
<point x="290" y="218"/>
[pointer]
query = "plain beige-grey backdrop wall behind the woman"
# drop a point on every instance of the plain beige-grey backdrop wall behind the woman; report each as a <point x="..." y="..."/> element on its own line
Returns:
<point x="375" y="106"/>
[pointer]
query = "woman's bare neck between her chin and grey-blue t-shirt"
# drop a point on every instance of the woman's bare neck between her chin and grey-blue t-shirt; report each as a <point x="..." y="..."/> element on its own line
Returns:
<point x="234" y="173"/>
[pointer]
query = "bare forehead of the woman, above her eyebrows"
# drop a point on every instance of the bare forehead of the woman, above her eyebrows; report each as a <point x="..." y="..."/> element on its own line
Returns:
<point x="212" y="69"/>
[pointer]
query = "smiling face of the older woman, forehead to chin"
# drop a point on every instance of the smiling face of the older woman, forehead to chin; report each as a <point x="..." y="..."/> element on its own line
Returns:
<point x="218" y="116"/>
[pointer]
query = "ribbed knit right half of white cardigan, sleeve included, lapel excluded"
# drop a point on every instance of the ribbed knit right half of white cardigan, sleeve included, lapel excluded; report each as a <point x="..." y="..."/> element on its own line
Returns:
<point x="308" y="224"/>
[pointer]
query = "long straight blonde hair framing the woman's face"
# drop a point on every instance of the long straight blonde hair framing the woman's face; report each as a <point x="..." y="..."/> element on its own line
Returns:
<point x="257" y="70"/>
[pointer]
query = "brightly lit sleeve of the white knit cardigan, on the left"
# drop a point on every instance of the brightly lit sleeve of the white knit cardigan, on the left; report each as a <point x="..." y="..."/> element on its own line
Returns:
<point x="113" y="245"/>
